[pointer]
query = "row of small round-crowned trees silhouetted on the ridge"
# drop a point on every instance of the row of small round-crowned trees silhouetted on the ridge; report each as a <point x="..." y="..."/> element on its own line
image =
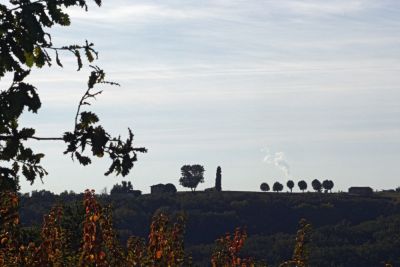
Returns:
<point x="326" y="185"/>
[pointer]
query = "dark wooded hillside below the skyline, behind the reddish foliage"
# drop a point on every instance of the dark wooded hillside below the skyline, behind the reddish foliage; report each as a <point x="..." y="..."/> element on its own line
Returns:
<point x="348" y="230"/>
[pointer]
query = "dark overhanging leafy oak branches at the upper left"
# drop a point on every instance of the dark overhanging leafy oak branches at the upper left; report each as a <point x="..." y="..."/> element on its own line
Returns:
<point x="25" y="45"/>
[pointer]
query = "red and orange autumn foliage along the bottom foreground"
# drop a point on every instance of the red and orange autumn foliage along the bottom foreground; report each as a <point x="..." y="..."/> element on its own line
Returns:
<point x="99" y="245"/>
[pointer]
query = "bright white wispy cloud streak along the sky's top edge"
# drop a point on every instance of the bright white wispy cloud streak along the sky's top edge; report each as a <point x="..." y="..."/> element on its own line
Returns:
<point x="139" y="11"/>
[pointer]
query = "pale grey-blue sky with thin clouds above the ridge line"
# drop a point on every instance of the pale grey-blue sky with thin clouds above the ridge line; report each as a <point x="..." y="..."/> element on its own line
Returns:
<point x="268" y="90"/>
